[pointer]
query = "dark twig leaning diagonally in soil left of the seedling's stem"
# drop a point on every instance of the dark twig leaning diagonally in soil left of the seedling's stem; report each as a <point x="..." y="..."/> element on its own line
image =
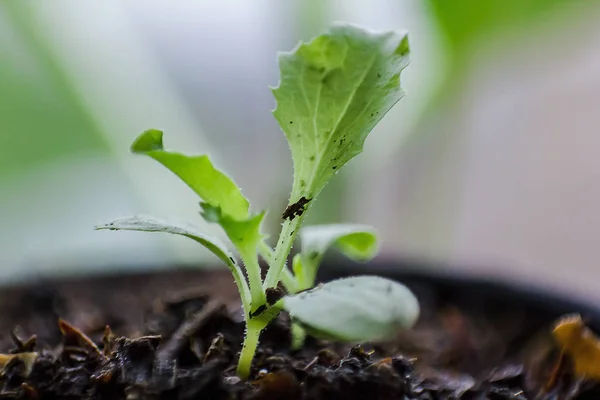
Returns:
<point x="181" y="336"/>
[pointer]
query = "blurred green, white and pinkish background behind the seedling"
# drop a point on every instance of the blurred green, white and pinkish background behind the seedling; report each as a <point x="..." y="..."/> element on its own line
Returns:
<point x="488" y="163"/>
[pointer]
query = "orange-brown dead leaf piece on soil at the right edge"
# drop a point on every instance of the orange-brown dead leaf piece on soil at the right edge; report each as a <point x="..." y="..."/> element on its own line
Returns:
<point x="580" y="344"/>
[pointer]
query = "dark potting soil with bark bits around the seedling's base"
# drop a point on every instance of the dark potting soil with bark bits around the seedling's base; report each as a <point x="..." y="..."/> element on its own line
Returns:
<point x="175" y="335"/>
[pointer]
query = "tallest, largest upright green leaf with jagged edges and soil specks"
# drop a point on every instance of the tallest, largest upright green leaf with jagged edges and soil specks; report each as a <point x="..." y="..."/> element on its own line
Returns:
<point x="332" y="92"/>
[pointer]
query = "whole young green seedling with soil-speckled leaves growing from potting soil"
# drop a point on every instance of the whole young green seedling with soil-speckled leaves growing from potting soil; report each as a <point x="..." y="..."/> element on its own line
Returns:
<point x="332" y="92"/>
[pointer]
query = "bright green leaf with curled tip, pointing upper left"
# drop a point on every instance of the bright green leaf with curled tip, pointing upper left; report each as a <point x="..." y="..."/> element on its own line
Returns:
<point x="213" y="186"/>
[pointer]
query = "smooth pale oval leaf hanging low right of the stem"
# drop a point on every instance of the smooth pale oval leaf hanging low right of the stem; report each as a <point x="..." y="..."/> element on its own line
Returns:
<point x="357" y="309"/>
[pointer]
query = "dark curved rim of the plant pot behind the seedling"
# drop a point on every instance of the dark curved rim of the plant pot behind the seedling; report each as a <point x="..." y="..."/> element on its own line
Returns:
<point x="435" y="285"/>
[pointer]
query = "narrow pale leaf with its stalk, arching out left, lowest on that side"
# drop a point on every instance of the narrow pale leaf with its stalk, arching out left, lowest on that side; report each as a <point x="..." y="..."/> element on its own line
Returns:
<point x="151" y="224"/>
